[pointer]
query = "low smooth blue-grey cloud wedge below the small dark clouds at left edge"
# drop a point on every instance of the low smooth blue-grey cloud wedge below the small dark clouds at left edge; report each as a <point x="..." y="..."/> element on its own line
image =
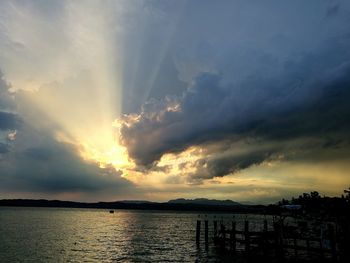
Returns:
<point x="54" y="167"/>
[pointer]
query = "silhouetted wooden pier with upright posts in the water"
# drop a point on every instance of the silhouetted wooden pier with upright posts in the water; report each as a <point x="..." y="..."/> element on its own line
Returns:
<point x="275" y="240"/>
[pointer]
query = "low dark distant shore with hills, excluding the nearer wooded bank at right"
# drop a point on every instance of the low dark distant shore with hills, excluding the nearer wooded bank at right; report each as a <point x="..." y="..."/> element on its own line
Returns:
<point x="182" y="205"/>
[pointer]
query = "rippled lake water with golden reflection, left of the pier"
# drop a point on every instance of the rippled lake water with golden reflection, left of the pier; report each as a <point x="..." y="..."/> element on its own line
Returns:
<point x="94" y="235"/>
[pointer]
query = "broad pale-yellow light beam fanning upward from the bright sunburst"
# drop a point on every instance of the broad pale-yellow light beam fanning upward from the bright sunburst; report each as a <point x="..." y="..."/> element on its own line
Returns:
<point x="84" y="98"/>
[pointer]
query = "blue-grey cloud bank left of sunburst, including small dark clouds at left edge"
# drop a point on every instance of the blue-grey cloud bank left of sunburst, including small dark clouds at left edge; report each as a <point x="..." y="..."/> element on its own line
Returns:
<point x="32" y="160"/>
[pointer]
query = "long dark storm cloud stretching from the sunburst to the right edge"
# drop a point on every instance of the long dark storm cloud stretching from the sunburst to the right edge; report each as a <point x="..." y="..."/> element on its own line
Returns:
<point x="210" y="111"/>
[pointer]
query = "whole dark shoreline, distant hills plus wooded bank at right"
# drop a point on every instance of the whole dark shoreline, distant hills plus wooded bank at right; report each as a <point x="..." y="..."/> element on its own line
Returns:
<point x="307" y="204"/>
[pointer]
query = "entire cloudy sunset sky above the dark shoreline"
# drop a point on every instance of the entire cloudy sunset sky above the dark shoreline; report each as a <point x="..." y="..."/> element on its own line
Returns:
<point x="157" y="100"/>
